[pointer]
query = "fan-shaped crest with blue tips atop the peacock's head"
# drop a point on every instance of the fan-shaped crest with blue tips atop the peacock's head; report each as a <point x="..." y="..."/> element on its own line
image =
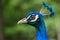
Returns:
<point x="48" y="7"/>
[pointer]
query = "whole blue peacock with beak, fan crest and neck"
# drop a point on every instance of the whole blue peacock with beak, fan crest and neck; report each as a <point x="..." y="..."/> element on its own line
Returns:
<point x="35" y="18"/>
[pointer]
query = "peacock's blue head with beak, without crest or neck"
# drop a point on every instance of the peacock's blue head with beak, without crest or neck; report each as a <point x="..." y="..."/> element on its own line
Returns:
<point x="32" y="18"/>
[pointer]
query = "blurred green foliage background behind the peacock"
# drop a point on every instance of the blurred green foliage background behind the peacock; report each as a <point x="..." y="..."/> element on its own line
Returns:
<point x="14" y="10"/>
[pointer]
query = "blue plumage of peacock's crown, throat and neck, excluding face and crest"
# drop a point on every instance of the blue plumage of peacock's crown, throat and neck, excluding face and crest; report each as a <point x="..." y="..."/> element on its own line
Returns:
<point x="40" y="26"/>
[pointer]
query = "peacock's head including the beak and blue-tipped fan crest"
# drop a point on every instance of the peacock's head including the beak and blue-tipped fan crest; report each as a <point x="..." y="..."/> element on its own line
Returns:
<point x="35" y="18"/>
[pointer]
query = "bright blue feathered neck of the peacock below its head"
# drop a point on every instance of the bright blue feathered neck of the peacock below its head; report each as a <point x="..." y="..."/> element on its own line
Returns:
<point x="41" y="35"/>
